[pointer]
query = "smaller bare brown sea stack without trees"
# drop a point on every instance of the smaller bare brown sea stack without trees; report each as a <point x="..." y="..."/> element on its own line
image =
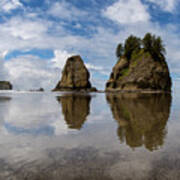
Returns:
<point x="75" y="76"/>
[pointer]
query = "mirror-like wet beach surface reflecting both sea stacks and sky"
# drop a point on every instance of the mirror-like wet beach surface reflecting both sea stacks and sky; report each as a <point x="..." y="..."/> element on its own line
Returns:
<point x="73" y="136"/>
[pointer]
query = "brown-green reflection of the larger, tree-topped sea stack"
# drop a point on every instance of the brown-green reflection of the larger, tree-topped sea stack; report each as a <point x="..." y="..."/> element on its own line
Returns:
<point x="142" y="118"/>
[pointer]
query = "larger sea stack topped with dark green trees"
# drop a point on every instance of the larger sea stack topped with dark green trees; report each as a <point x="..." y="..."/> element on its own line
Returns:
<point x="144" y="68"/>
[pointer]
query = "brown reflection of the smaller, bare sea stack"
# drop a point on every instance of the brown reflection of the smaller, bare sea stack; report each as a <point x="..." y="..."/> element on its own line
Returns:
<point x="75" y="109"/>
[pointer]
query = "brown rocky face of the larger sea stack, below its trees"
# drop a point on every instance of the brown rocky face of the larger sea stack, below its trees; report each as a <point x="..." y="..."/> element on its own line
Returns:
<point x="142" y="72"/>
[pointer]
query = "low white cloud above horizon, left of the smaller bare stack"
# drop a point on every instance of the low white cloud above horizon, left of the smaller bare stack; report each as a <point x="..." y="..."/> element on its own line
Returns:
<point x="29" y="72"/>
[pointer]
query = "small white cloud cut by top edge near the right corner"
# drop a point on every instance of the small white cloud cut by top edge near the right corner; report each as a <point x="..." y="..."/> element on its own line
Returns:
<point x="166" y="5"/>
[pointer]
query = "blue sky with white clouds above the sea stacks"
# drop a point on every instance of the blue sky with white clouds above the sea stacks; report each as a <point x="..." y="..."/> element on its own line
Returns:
<point x="37" y="36"/>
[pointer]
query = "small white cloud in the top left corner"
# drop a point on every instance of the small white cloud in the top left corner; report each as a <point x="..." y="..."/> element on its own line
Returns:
<point x="8" y="5"/>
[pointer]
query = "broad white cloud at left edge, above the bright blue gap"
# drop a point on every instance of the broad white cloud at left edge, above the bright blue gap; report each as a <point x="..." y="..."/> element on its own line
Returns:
<point x="22" y="33"/>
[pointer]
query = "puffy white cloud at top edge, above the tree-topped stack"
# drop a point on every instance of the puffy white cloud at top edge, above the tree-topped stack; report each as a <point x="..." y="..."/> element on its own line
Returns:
<point x="127" y="11"/>
